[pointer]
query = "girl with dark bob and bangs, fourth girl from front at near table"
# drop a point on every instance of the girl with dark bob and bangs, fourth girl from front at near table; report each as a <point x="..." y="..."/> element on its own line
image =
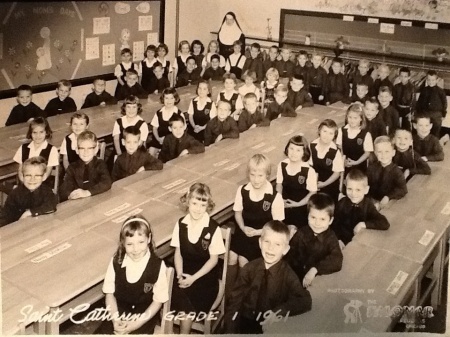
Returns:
<point x="296" y="181"/>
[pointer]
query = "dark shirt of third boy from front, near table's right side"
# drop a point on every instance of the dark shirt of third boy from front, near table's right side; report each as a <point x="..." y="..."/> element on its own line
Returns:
<point x="348" y="215"/>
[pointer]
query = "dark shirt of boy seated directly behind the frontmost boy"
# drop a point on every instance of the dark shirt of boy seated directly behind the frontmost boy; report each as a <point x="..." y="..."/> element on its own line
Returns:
<point x="309" y="250"/>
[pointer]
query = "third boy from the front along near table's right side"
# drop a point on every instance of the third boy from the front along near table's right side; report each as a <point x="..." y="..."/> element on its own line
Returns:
<point x="356" y="211"/>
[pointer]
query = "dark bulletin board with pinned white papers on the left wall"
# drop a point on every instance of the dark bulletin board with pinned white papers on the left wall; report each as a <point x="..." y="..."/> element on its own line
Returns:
<point x="43" y="42"/>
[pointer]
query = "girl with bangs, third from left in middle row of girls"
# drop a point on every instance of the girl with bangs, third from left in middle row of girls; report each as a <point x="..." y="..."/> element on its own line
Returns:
<point x="131" y="110"/>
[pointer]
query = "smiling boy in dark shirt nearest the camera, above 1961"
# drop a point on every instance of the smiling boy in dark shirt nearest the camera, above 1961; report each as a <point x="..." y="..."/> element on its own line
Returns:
<point x="266" y="287"/>
